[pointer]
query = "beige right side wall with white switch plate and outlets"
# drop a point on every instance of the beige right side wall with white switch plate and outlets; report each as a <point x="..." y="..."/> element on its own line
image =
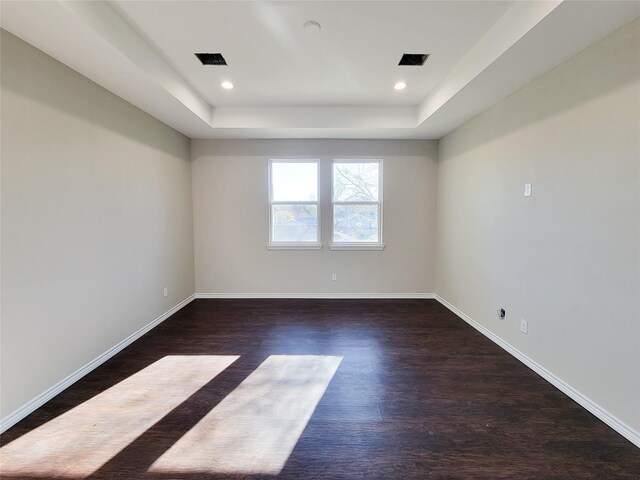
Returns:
<point x="568" y="258"/>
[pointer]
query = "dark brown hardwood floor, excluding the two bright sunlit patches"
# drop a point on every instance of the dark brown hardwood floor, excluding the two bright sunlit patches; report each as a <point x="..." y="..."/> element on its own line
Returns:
<point x="419" y="394"/>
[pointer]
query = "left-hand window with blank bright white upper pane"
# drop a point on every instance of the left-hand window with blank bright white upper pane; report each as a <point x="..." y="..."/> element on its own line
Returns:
<point x="294" y="205"/>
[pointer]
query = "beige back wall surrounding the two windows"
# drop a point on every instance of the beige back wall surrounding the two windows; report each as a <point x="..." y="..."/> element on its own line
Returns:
<point x="231" y="220"/>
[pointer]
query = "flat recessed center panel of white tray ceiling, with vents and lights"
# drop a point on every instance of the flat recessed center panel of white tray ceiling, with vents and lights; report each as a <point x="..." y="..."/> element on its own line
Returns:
<point x="352" y="60"/>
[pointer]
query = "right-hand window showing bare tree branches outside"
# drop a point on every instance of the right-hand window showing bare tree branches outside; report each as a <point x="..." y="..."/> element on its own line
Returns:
<point x="357" y="205"/>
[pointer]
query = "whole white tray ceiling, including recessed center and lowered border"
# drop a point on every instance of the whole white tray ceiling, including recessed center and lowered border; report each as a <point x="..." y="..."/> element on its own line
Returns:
<point x="292" y="83"/>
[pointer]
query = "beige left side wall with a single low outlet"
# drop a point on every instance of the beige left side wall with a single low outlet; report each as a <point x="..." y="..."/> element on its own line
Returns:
<point x="96" y="220"/>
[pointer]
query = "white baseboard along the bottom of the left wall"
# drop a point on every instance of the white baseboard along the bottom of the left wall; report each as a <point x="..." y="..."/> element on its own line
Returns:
<point x="51" y="392"/>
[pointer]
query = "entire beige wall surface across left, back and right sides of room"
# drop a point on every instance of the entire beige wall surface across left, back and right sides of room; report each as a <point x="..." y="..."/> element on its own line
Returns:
<point x="97" y="219"/>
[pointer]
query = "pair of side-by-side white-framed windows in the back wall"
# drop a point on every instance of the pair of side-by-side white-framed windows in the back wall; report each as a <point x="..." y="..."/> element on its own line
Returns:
<point x="295" y="190"/>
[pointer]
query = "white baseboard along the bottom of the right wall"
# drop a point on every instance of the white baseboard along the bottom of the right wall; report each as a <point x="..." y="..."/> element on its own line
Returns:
<point x="618" y="425"/>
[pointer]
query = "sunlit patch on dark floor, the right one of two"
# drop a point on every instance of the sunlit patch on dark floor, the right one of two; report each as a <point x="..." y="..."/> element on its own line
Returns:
<point x="256" y="427"/>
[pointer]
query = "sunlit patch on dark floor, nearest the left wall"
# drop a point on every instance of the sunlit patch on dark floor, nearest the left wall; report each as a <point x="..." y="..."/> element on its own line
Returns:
<point x="80" y="441"/>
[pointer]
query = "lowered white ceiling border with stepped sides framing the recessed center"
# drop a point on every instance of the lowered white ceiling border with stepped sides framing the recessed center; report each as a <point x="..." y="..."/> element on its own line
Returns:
<point x="130" y="66"/>
